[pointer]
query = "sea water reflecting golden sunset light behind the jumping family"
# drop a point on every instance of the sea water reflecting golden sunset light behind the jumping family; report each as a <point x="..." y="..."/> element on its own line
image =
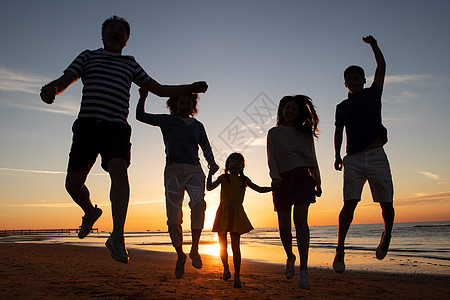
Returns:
<point x="415" y="247"/>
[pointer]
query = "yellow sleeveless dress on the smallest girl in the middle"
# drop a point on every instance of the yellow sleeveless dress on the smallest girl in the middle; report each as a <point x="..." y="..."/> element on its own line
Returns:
<point x="230" y="215"/>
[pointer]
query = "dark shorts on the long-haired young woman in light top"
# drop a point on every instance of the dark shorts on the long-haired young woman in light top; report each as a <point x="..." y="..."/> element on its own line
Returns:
<point x="297" y="187"/>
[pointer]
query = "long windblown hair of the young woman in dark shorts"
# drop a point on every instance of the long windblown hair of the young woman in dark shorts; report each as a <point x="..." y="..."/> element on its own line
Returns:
<point x="307" y="120"/>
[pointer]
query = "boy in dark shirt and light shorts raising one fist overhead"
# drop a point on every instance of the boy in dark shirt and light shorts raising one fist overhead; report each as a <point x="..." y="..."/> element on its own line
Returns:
<point x="366" y="160"/>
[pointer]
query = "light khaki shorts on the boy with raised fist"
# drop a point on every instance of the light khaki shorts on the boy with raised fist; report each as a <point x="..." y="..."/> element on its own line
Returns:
<point x="370" y="165"/>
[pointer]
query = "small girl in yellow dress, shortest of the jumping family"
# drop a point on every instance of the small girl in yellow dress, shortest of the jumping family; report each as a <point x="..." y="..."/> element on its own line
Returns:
<point x="230" y="216"/>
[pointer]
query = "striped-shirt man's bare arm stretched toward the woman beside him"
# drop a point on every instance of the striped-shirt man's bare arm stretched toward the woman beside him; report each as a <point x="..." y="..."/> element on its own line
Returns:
<point x="174" y="90"/>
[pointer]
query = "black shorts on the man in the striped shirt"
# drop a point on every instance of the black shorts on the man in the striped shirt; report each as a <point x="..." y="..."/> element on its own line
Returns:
<point x="92" y="137"/>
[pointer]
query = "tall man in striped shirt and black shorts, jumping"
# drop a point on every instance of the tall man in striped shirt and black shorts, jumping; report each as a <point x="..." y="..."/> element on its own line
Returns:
<point x="102" y="127"/>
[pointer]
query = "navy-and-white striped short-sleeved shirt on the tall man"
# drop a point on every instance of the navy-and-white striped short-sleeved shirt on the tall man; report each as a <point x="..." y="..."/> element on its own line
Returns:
<point x="107" y="79"/>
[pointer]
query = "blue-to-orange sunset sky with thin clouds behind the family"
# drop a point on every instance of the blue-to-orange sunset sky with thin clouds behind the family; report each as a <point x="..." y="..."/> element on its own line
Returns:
<point x="251" y="53"/>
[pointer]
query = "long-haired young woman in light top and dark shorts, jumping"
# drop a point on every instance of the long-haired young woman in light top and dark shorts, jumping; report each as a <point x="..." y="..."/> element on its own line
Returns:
<point x="295" y="175"/>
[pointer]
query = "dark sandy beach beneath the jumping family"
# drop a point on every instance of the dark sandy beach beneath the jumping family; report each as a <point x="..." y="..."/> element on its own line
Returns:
<point x="47" y="271"/>
